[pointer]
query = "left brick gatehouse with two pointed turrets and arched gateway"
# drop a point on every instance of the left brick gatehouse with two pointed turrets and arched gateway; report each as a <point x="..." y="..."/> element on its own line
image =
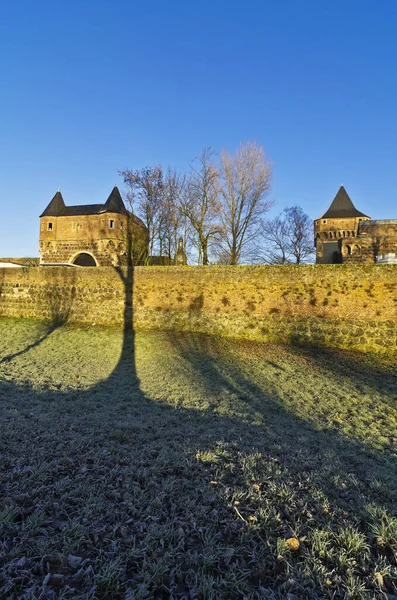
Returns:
<point x="91" y="235"/>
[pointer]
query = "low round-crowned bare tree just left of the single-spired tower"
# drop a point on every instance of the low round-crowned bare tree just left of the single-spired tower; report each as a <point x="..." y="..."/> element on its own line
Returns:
<point x="289" y="237"/>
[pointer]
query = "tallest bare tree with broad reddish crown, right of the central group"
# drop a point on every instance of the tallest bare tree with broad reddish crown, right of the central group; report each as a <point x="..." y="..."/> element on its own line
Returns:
<point x="244" y="184"/>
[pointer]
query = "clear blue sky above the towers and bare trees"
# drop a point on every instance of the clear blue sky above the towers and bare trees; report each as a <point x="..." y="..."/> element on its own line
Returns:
<point x="91" y="86"/>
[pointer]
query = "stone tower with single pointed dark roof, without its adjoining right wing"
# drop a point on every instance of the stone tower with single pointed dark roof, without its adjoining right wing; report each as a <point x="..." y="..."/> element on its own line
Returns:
<point x="340" y="221"/>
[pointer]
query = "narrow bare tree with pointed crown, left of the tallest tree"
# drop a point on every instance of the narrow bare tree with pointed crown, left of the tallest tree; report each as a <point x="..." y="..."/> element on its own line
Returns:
<point x="200" y="203"/>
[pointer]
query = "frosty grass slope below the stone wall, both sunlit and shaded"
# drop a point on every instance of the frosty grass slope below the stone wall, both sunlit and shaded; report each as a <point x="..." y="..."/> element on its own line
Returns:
<point x="193" y="467"/>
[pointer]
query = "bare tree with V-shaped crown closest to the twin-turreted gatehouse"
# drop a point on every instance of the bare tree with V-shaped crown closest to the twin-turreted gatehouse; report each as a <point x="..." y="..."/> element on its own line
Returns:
<point x="145" y="198"/>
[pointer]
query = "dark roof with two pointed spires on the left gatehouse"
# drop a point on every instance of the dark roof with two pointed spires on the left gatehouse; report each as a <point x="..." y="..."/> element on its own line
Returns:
<point x="114" y="204"/>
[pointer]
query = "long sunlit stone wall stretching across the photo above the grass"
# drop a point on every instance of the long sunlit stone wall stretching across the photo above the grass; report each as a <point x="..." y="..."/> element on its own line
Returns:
<point x="335" y="305"/>
